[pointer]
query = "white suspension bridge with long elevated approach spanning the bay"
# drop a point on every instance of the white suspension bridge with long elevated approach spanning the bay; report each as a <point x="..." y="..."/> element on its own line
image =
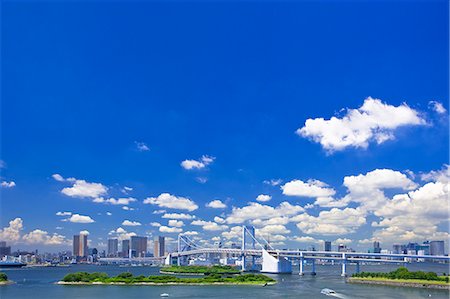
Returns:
<point x="281" y="261"/>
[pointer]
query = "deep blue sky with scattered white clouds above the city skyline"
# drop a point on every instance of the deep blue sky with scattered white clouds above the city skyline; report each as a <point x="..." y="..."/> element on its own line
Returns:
<point x="229" y="85"/>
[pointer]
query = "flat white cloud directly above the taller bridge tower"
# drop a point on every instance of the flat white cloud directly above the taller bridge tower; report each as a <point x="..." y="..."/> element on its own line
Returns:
<point x="258" y="211"/>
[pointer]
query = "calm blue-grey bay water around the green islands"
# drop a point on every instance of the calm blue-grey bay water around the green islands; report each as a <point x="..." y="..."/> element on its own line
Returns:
<point x="38" y="283"/>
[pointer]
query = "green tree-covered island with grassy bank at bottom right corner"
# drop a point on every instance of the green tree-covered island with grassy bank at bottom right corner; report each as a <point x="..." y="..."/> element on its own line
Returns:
<point x="404" y="278"/>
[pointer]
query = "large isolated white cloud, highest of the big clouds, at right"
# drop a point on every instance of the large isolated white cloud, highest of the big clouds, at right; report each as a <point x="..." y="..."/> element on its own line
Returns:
<point x="373" y="121"/>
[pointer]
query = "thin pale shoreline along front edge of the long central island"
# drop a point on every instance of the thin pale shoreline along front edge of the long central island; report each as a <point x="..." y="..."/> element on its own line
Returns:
<point x="160" y="284"/>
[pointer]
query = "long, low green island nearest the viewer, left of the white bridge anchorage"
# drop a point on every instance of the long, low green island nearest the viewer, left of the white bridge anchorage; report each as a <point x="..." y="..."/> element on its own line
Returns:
<point x="126" y="278"/>
